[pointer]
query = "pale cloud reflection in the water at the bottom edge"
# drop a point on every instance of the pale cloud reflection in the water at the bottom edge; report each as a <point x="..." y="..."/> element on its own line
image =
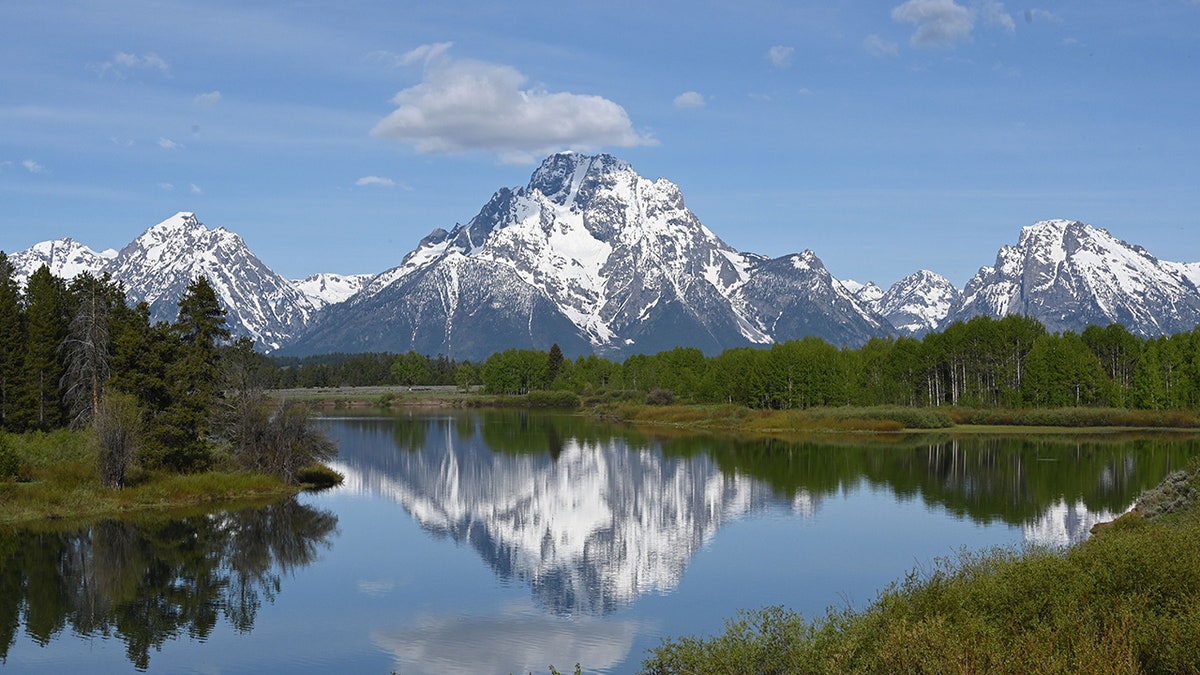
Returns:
<point x="508" y="643"/>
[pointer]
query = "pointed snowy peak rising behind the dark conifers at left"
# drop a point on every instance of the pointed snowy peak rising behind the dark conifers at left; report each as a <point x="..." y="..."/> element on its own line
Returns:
<point x="158" y="267"/>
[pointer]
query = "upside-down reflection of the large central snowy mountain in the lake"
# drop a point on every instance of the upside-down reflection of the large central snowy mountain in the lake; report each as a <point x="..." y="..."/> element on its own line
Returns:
<point x="591" y="525"/>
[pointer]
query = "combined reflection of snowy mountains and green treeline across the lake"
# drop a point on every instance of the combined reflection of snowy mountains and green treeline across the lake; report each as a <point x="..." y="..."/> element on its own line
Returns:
<point x="593" y="517"/>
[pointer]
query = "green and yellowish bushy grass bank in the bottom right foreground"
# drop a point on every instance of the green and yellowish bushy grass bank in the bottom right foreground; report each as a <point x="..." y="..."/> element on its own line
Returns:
<point x="1126" y="601"/>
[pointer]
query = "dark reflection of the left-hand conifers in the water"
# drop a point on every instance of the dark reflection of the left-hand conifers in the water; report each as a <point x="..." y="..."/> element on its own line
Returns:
<point x="148" y="583"/>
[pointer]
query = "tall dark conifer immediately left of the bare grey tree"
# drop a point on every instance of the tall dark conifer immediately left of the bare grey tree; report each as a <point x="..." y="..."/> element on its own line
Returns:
<point x="46" y="320"/>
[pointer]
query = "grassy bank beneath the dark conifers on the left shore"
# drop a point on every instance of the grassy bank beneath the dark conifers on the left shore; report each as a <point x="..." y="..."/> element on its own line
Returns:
<point x="55" y="477"/>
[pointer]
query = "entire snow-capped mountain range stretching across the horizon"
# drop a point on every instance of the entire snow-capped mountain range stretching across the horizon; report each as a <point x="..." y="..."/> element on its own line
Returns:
<point x="595" y="258"/>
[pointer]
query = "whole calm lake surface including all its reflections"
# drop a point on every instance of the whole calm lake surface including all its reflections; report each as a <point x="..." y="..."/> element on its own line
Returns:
<point x="507" y="542"/>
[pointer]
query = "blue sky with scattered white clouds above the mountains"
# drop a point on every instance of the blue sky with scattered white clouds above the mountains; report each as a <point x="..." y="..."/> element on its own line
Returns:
<point x="887" y="138"/>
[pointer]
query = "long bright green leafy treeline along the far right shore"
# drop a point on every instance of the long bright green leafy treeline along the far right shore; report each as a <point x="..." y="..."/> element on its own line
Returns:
<point x="985" y="363"/>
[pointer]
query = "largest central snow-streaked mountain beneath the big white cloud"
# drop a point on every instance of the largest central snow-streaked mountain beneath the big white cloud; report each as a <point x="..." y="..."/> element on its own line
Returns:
<point x="595" y="258"/>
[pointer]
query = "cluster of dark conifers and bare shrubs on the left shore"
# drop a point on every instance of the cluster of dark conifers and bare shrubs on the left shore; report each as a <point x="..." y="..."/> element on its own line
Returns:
<point x="160" y="396"/>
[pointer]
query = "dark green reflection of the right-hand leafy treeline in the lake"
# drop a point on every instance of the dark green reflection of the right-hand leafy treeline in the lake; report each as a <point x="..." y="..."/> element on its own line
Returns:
<point x="1012" y="480"/>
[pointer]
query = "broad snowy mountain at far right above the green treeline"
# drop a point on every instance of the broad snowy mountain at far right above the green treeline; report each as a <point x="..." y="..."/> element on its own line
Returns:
<point x="1070" y="276"/>
